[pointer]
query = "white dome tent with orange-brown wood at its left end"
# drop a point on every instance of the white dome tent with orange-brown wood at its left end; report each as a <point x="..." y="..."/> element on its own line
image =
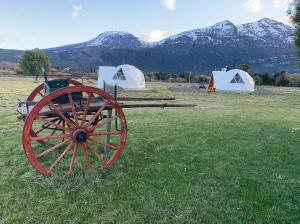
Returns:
<point x="234" y="80"/>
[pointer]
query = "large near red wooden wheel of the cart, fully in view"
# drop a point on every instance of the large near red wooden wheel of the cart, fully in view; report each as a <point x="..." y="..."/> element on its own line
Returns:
<point x="83" y="138"/>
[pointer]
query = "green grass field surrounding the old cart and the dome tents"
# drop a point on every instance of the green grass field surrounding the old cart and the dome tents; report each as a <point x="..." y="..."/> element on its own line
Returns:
<point x="235" y="158"/>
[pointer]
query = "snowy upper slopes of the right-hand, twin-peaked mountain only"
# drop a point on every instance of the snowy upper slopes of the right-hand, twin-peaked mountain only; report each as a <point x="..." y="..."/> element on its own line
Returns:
<point x="266" y="30"/>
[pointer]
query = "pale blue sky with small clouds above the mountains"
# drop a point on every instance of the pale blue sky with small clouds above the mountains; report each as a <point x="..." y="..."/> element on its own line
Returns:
<point x="27" y="24"/>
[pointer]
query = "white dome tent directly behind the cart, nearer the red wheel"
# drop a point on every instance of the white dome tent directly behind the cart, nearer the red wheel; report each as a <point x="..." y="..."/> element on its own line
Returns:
<point x="126" y="76"/>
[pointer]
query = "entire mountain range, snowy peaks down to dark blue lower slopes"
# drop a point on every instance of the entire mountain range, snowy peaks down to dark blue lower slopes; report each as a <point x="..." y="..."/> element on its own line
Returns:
<point x="266" y="45"/>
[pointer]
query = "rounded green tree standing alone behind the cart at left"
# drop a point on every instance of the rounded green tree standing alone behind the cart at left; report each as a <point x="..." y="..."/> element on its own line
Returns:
<point x="32" y="61"/>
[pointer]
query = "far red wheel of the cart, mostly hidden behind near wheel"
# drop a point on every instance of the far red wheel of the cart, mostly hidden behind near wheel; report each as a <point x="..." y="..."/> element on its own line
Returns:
<point x="38" y="93"/>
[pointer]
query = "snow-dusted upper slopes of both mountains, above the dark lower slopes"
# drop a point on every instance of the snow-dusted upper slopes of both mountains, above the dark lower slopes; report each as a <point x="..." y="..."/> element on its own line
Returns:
<point x="265" y="29"/>
